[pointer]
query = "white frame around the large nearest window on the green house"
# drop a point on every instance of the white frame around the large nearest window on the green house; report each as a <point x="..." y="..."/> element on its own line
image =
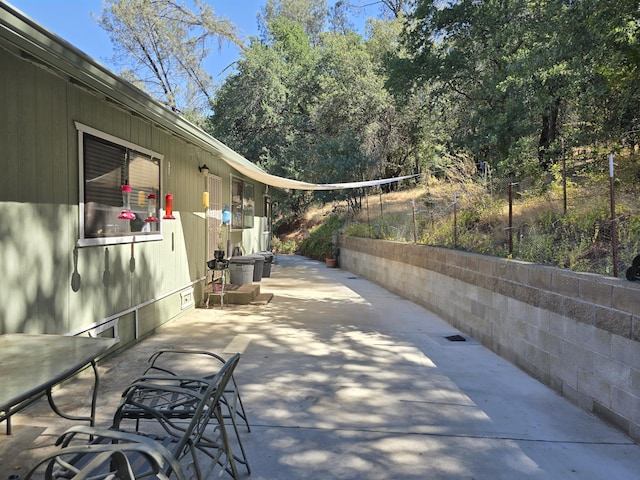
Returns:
<point x="132" y="237"/>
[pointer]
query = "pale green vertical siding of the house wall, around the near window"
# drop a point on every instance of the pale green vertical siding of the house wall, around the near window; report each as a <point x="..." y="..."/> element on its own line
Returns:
<point x="49" y="284"/>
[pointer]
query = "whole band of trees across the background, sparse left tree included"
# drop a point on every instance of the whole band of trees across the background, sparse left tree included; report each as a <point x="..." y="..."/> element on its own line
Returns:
<point x="512" y="83"/>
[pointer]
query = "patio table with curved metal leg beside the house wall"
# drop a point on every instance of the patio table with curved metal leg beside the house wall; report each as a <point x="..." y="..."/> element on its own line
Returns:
<point x="31" y="365"/>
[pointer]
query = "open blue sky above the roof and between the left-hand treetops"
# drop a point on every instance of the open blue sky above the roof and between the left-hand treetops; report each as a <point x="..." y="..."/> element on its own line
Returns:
<point x="72" y="21"/>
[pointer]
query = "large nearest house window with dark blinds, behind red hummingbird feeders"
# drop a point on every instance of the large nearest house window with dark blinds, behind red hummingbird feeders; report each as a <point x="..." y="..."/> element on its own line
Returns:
<point x="107" y="163"/>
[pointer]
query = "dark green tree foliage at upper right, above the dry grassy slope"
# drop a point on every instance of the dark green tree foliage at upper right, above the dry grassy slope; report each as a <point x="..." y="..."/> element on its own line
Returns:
<point x="514" y="81"/>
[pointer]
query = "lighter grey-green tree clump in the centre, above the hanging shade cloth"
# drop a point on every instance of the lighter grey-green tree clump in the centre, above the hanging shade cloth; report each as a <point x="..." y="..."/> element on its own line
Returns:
<point x="312" y="105"/>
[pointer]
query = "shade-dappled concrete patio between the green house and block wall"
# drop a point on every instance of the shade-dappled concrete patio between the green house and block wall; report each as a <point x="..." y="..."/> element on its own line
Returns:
<point x="343" y="380"/>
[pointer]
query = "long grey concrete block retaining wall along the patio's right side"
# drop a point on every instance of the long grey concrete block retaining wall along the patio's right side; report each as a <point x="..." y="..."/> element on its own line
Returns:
<point x="578" y="333"/>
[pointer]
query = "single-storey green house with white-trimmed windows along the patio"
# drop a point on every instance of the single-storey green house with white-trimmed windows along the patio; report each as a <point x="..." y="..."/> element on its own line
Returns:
<point x="107" y="212"/>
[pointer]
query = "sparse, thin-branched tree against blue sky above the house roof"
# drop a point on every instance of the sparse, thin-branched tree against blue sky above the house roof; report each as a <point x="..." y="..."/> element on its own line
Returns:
<point x="161" y="44"/>
